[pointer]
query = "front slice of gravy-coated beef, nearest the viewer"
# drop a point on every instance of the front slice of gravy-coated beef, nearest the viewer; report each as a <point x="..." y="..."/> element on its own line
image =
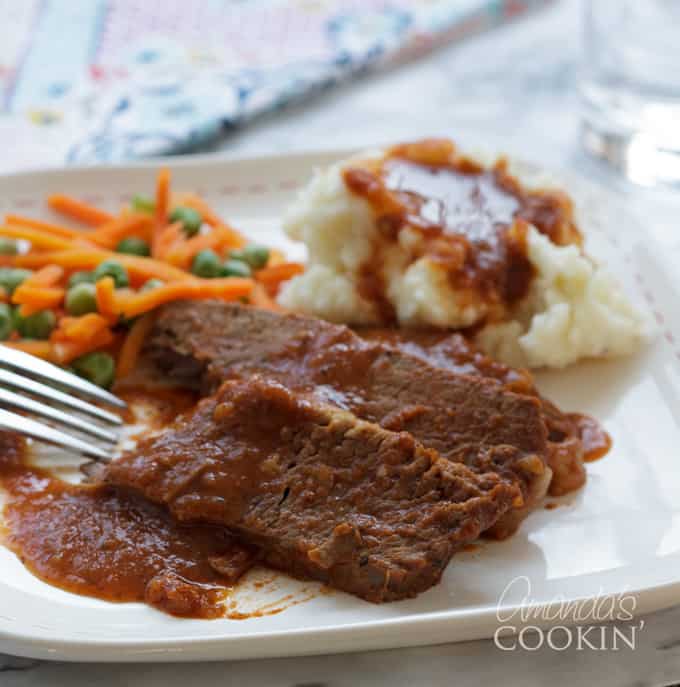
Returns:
<point x="320" y="493"/>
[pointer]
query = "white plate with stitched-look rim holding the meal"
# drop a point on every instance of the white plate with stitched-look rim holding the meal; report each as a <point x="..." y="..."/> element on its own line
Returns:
<point x="620" y="533"/>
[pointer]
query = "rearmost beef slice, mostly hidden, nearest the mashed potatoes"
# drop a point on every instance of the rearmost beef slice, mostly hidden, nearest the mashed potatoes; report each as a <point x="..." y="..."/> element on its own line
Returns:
<point x="453" y="352"/>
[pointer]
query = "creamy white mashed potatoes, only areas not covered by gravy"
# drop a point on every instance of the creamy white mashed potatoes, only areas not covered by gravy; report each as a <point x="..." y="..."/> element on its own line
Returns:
<point x="574" y="308"/>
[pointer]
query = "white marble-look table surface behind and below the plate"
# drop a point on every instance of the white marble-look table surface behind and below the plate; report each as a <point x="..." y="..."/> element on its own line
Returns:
<point x="513" y="90"/>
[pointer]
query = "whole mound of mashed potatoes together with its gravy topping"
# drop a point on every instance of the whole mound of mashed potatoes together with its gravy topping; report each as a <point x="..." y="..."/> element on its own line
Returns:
<point x="421" y="235"/>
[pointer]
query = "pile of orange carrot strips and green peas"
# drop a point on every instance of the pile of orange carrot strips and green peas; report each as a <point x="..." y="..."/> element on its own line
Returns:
<point x="85" y="297"/>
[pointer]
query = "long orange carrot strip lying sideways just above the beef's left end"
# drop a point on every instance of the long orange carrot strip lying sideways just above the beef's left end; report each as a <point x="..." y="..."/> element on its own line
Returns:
<point x="227" y="289"/>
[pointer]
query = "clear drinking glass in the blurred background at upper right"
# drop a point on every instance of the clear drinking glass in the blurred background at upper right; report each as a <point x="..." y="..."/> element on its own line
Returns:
<point x="630" y="87"/>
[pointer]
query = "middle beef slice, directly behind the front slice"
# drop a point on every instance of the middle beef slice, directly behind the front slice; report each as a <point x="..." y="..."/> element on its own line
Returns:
<point x="466" y="418"/>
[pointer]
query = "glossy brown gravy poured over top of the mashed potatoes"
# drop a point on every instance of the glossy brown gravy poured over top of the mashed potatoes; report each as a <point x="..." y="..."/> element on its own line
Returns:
<point x="472" y="220"/>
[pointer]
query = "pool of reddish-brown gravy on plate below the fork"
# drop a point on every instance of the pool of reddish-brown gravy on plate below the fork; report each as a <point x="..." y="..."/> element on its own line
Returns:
<point x="99" y="542"/>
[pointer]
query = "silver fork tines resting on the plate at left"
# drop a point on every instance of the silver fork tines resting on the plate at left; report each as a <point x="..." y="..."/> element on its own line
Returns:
<point x="23" y="388"/>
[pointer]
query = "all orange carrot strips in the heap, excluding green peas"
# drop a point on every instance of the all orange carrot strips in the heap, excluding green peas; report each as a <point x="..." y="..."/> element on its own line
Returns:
<point x="56" y="252"/>
